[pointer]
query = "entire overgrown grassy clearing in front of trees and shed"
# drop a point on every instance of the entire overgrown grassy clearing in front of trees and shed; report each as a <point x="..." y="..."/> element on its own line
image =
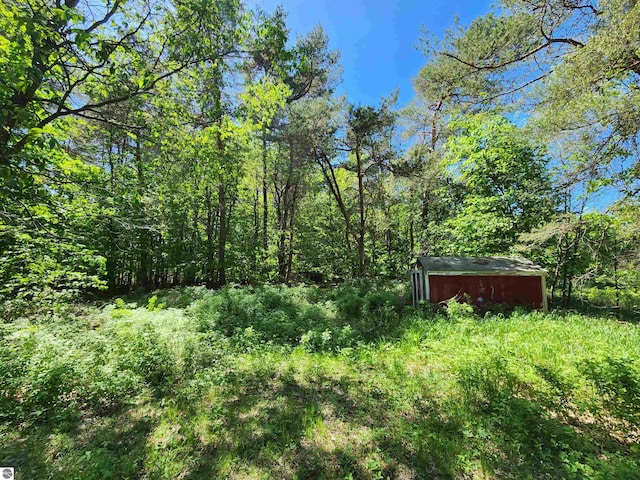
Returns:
<point x="297" y="383"/>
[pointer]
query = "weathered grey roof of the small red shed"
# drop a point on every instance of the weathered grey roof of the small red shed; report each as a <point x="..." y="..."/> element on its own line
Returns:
<point x="480" y="265"/>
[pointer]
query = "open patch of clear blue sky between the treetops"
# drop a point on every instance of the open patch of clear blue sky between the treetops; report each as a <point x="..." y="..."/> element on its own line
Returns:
<point x="377" y="39"/>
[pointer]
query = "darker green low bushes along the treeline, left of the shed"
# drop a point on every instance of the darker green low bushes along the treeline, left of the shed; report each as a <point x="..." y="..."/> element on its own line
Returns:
<point x="276" y="314"/>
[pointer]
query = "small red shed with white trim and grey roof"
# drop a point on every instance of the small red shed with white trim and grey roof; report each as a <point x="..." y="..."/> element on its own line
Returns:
<point x="507" y="280"/>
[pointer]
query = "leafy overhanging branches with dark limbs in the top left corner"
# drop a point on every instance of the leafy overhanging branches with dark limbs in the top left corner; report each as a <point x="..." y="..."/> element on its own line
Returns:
<point x="59" y="50"/>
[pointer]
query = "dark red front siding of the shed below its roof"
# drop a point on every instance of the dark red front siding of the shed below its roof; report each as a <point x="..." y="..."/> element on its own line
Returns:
<point x="510" y="289"/>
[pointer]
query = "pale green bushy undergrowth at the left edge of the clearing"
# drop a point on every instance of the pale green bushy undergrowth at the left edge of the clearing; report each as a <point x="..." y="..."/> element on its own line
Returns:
<point x="53" y="370"/>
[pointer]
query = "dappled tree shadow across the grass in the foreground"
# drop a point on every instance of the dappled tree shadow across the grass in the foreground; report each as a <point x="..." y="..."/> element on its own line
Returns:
<point x="301" y="423"/>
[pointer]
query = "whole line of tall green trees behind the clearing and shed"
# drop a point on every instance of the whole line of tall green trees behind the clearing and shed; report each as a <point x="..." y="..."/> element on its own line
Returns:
<point x="153" y="144"/>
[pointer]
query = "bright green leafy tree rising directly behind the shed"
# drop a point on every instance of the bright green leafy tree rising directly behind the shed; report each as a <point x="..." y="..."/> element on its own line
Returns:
<point x="500" y="185"/>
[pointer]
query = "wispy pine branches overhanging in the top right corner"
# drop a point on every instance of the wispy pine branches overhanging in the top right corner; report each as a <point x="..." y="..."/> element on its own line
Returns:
<point x="575" y="64"/>
